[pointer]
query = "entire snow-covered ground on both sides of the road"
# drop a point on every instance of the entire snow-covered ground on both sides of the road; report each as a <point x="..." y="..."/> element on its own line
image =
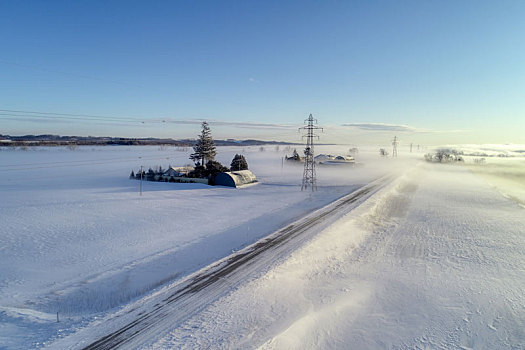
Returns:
<point x="434" y="260"/>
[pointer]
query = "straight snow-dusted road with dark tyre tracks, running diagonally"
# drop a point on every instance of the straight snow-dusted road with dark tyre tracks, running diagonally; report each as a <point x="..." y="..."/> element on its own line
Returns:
<point x="145" y="321"/>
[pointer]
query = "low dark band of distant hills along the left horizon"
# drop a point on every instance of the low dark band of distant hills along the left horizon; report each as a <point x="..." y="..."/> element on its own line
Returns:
<point x="57" y="140"/>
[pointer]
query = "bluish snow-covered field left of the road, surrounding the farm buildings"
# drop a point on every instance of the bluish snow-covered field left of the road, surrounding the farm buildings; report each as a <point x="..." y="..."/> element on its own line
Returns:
<point x="76" y="238"/>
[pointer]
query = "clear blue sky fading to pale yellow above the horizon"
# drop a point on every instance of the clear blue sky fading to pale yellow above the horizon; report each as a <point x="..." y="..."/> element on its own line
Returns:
<point x="431" y="71"/>
